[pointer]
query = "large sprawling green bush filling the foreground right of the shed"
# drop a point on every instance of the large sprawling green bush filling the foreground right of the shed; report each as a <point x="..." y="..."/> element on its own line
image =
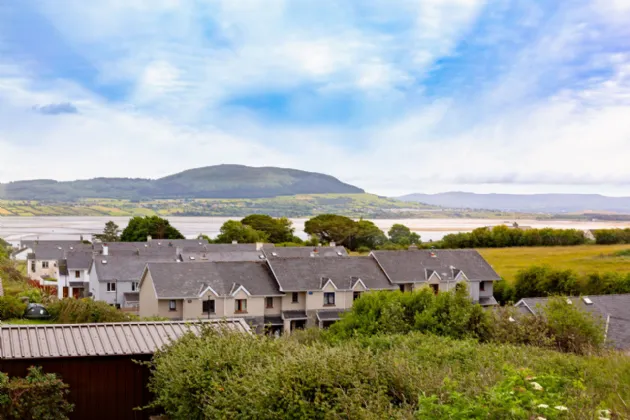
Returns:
<point x="231" y="375"/>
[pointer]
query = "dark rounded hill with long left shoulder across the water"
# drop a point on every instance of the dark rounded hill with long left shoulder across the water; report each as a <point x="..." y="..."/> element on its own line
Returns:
<point x="221" y="181"/>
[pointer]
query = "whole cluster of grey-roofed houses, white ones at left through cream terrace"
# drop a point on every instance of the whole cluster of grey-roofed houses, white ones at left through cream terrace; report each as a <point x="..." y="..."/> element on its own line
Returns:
<point x="280" y="288"/>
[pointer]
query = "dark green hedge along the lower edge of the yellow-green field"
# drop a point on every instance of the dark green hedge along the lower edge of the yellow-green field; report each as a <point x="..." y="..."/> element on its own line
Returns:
<point x="542" y="281"/>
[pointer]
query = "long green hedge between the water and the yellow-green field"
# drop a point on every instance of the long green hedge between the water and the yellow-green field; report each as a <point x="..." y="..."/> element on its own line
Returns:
<point x="505" y="236"/>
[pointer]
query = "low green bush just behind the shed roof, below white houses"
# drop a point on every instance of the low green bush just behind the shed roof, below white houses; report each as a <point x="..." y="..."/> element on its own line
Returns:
<point x="78" y="311"/>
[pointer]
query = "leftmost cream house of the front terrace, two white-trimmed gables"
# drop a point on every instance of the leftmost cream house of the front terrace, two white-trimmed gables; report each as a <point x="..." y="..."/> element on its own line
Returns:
<point x="244" y="289"/>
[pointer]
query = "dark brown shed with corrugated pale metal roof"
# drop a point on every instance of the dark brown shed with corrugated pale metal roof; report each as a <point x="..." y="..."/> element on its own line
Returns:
<point x="97" y="361"/>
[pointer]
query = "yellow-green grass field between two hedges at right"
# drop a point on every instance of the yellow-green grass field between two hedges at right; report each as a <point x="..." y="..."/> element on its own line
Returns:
<point x="582" y="259"/>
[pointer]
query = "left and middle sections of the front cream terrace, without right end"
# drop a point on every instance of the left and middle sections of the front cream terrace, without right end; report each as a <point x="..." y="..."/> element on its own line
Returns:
<point x="281" y="294"/>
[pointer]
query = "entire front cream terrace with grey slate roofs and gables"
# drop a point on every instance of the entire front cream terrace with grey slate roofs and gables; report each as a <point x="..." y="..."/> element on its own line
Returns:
<point x="312" y="288"/>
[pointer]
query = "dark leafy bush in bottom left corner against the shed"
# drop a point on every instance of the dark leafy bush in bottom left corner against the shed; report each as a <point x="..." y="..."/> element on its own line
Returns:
<point x="38" y="396"/>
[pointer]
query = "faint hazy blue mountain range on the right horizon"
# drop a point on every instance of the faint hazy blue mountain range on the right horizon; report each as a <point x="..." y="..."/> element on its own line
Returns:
<point x="547" y="203"/>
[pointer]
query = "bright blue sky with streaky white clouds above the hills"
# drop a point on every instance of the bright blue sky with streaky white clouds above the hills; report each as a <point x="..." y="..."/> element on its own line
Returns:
<point x="394" y="96"/>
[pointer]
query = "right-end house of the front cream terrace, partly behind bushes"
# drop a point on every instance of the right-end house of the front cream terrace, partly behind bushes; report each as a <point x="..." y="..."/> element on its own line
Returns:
<point x="441" y="270"/>
